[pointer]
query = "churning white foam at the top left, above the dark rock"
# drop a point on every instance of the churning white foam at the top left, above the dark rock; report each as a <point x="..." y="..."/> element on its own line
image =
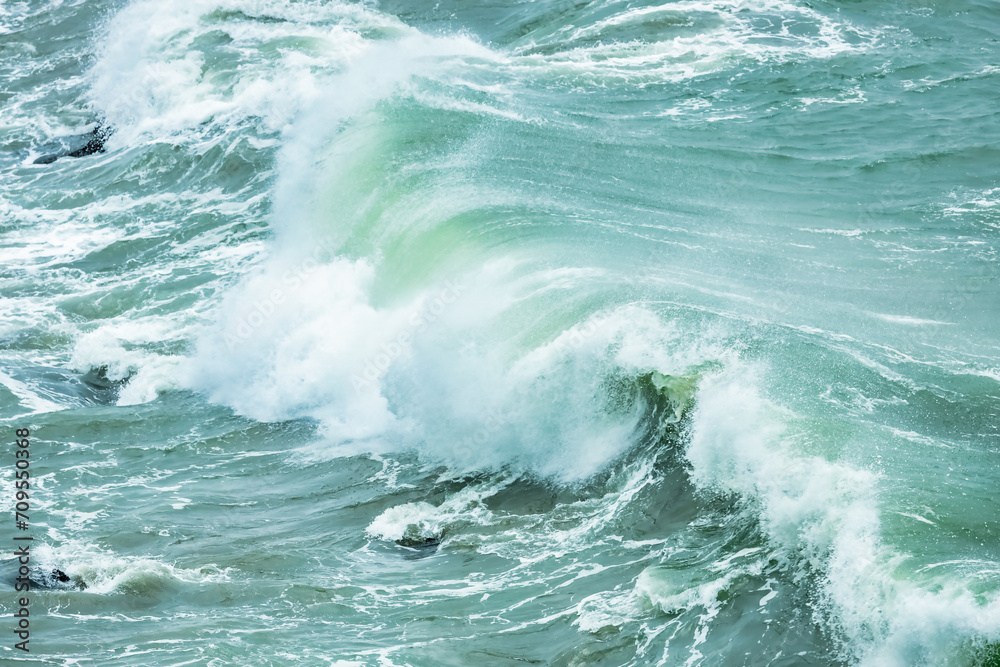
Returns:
<point x="152" y="80"/>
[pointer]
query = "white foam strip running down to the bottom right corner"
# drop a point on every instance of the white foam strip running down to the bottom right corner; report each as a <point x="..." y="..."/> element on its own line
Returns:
<point x="825" y="515"/>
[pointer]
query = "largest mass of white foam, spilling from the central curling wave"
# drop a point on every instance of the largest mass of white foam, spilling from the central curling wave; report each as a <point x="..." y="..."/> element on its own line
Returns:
<point x="303" y="337"/>
